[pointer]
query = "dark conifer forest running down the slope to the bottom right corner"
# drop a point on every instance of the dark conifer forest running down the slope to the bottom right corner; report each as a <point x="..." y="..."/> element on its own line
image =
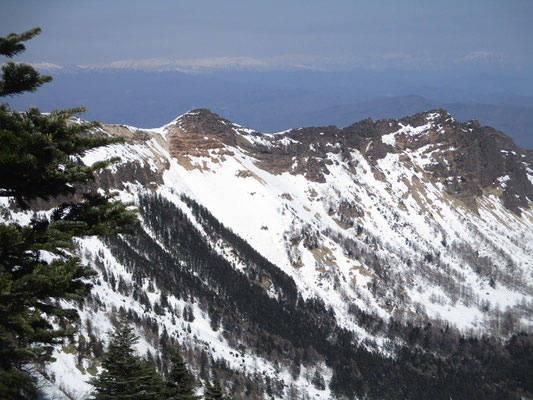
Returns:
<point x="430" y="361"/>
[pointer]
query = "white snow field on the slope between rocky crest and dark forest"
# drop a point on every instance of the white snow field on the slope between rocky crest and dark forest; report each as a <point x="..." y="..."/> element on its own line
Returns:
<point x="404" y="213"/>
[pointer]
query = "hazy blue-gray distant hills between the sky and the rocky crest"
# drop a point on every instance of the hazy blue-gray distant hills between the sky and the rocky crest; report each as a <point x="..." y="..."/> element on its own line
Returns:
<point x="278" y="100"/>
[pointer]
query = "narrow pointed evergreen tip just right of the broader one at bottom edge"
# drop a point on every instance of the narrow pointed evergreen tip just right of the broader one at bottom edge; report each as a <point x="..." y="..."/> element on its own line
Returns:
<point x="179" y="384"/>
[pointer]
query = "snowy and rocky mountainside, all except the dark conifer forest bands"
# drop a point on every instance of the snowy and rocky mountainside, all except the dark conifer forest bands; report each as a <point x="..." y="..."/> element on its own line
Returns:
<point x="387" y="216"/>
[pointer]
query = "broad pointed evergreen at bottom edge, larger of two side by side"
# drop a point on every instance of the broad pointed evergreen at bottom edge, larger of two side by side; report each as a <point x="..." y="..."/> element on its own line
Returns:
<point x="125" y="375"/>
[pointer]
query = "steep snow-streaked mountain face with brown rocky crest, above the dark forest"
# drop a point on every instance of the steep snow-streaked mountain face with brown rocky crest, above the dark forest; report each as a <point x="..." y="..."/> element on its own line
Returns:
<point x="423" y="192"/>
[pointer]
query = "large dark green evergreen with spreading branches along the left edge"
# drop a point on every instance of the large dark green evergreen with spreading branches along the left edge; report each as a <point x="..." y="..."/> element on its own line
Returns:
<point x="40" y="158"/>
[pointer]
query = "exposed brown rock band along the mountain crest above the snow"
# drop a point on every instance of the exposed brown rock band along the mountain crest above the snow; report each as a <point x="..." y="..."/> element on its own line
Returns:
<point x="466" y="158"/>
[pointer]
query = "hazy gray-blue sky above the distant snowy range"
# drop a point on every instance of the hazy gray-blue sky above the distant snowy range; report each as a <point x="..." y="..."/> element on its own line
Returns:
<point x="406" y="34"/>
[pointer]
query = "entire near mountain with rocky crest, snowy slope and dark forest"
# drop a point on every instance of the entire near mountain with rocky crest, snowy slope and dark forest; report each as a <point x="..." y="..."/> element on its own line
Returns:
<point x="321" y="261"/>
